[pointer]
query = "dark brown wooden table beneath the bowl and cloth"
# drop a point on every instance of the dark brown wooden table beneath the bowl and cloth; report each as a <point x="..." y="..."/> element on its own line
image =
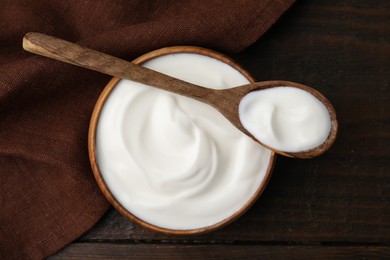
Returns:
<point x="334" y="206"/>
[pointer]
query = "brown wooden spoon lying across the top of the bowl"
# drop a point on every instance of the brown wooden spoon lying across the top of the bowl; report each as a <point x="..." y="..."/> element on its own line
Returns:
<point x="225" y="101"/>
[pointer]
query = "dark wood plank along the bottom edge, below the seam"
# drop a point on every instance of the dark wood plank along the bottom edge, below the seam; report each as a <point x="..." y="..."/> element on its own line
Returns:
<point x="153" y="251"/>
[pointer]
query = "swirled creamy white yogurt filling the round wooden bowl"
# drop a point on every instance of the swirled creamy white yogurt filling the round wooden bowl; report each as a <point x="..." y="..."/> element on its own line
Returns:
<point x="173" y="161"/>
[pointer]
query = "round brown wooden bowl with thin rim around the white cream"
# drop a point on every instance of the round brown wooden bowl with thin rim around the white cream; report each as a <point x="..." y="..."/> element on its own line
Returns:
<point x="95" y="166"/>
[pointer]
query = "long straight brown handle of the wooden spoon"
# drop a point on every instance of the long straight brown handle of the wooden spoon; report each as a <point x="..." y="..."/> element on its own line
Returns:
<point x="72" y="53"/>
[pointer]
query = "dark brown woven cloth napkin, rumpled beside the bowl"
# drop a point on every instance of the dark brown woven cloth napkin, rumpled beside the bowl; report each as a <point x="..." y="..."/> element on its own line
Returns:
<point x="48" y="195"/>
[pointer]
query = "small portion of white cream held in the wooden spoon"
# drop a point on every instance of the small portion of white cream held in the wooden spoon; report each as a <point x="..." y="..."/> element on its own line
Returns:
<point x="285" y="118"/>
